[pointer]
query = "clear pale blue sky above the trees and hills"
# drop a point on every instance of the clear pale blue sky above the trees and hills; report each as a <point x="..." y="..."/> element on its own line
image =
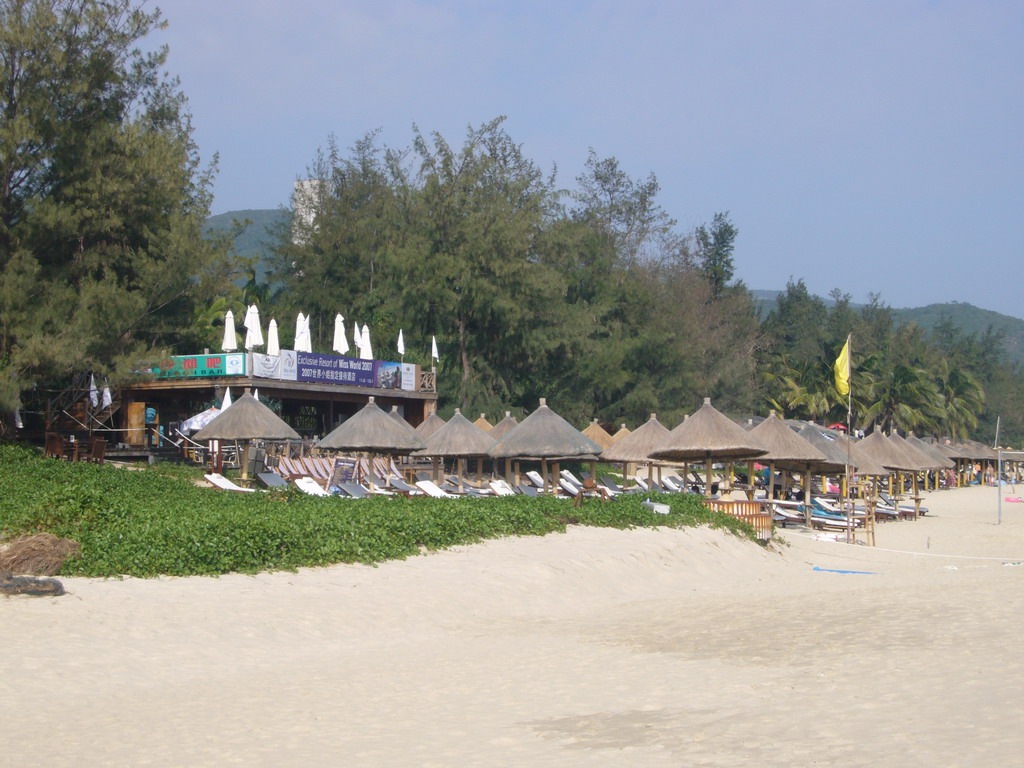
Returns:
<point x="873" y="147"/>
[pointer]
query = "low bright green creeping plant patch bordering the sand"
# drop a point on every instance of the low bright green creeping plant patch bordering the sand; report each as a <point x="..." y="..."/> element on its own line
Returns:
<point x="157" y="522"/>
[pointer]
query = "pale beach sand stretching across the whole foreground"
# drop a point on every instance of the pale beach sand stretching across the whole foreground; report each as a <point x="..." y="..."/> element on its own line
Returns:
<point x="594" y="649"/>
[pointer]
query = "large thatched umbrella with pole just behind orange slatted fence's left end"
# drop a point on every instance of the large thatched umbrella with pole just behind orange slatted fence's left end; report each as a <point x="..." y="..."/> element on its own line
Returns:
<point x="707" y="436"/>
